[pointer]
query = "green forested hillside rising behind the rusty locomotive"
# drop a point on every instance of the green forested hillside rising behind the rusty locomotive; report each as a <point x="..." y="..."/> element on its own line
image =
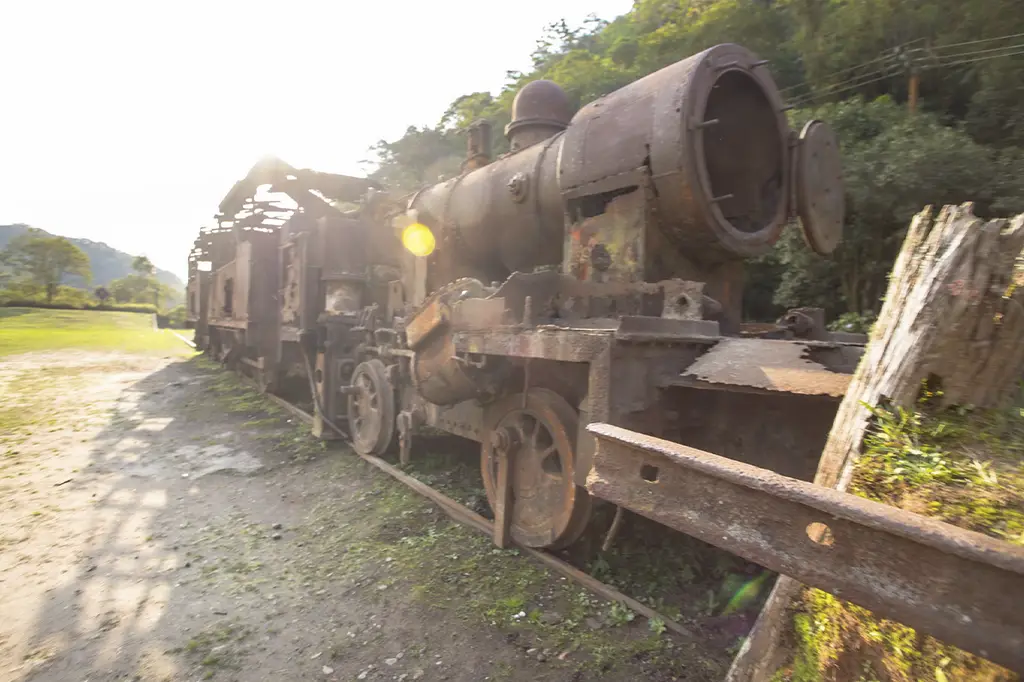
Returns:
<point x="849" y="63"/>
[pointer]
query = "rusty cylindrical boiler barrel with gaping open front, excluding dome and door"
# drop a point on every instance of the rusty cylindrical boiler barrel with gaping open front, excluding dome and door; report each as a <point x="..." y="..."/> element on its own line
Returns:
<point x="711" y="133"/>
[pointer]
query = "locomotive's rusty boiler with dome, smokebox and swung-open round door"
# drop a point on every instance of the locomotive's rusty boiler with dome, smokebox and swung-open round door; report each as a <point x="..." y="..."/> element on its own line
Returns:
<point x="700" y="155"/>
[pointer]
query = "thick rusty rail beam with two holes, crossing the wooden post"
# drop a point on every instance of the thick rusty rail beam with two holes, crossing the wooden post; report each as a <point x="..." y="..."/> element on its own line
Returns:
<point x="956" y="585"/>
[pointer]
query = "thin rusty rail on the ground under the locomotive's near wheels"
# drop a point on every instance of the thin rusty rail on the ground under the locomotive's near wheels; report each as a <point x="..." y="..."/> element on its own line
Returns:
<point x="466" y="517"/>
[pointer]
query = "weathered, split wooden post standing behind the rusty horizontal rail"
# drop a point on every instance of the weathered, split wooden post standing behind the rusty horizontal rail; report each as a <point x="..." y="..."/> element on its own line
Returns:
<point x="955" y="311"/>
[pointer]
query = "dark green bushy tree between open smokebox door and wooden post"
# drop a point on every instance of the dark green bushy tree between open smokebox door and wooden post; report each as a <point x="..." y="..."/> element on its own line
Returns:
<point x="893" y="165"/>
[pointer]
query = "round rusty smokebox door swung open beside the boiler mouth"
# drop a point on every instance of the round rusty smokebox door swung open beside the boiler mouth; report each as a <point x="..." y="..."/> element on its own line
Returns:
<point x="818" y="197"/>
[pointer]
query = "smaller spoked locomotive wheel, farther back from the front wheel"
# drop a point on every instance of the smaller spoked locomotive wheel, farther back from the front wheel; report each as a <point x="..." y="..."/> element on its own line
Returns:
<point x="371" y="409"/>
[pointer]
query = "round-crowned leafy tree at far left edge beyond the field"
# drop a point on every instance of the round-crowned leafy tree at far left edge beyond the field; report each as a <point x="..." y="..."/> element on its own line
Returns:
<point x="46" y="261"/>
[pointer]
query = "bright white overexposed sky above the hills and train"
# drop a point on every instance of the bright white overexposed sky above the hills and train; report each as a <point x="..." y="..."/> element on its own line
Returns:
<point x="127" y="122"/>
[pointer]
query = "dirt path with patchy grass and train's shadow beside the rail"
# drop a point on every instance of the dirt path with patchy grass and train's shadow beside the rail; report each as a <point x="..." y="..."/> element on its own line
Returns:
<point x="159" y="523"/>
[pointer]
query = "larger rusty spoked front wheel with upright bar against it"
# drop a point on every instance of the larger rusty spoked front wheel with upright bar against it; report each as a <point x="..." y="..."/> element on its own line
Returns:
<point x="549" y="510"/>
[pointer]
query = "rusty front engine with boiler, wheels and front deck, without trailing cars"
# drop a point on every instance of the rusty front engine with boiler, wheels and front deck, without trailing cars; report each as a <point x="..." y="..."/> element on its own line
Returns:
<point x="595" y="274"/>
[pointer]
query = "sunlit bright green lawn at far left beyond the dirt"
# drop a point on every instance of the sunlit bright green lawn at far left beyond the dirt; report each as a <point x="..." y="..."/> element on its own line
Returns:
<point x="25" y="330"/>
